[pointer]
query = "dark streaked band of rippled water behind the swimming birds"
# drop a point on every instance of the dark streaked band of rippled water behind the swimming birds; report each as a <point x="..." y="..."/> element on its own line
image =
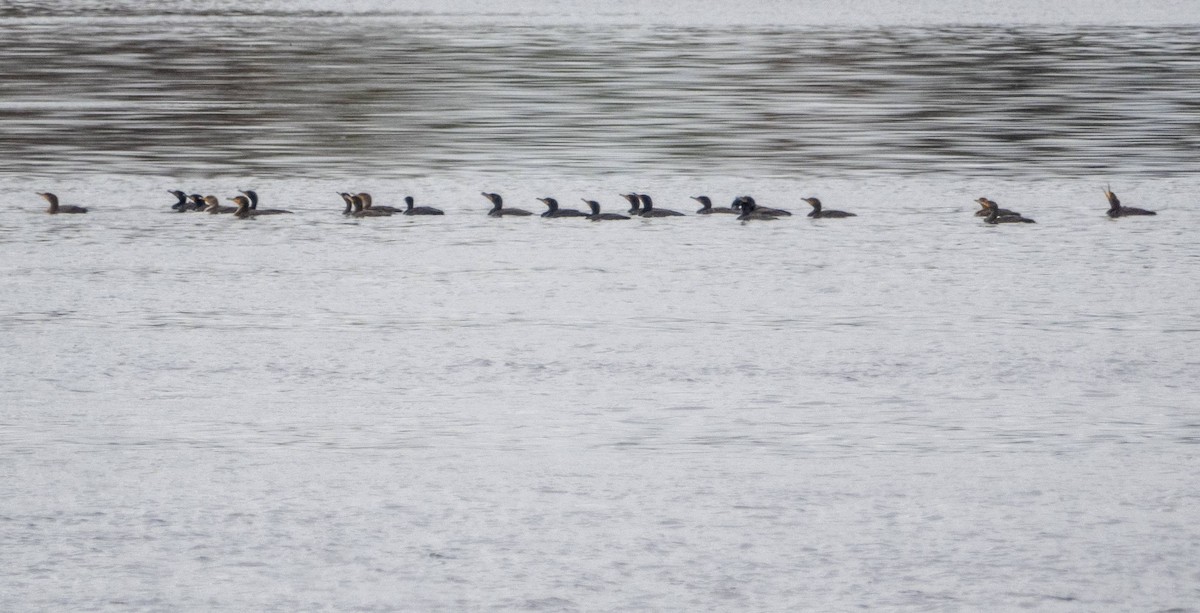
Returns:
<point x="321" y="92"/>
